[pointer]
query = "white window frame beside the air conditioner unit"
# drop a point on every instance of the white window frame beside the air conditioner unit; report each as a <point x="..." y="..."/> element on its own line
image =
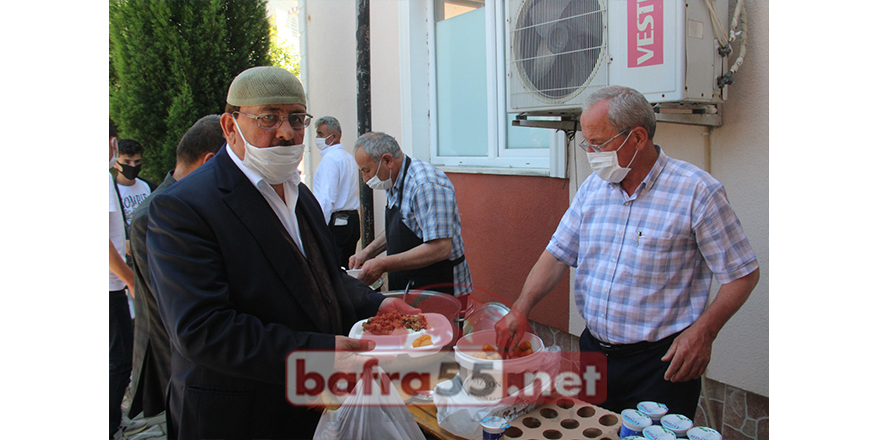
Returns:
<point x="419" y="99"/>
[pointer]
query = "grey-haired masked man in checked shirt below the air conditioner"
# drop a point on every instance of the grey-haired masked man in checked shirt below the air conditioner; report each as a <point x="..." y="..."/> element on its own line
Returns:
<point x="645" y="240"/>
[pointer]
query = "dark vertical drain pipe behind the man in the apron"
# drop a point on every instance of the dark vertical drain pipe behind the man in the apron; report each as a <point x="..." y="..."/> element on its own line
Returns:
<point x="364" y="113"/>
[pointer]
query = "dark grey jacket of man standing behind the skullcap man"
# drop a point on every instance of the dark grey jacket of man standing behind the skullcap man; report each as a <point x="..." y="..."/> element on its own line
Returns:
<point x="151" y="357"/>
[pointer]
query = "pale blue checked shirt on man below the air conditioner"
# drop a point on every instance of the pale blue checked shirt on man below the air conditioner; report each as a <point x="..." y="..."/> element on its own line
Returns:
<point x="644" y="263"/>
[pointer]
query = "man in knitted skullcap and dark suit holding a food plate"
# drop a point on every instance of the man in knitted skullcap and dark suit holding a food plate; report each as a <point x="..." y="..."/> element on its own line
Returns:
<point x="244" y="270"/>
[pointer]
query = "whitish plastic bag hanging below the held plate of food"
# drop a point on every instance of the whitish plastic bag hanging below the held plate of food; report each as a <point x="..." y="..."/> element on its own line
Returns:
<point x="369" y="416"/>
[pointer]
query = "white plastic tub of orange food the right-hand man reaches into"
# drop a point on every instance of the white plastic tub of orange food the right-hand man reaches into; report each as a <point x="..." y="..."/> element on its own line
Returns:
<point x="494" y="371"/>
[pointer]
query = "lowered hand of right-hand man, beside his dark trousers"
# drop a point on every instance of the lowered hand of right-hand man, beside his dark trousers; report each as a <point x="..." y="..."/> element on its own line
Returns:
<point x="690" y="354"/>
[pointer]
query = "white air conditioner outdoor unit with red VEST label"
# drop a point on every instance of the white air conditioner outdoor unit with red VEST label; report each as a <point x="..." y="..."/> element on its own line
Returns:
<point x="560" y="51"/>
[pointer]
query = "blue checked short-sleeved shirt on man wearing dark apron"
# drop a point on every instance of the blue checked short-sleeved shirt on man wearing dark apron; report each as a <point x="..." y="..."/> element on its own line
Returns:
<point x="428" y="208"/>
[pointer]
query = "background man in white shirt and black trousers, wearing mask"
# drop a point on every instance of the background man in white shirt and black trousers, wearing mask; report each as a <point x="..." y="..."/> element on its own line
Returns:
<point x="335" y="187"/>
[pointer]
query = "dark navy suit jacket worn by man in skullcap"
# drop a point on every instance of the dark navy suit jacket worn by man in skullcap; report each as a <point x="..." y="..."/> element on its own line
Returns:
<point x="235" y="305"/>
